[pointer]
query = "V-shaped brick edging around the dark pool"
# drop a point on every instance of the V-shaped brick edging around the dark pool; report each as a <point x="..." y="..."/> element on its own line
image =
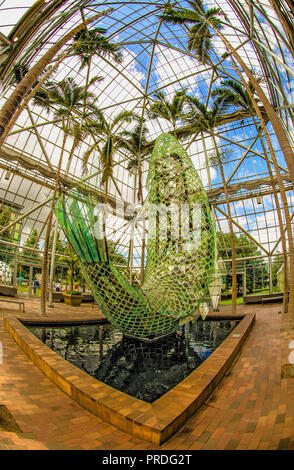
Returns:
<point x="154" y="422"/>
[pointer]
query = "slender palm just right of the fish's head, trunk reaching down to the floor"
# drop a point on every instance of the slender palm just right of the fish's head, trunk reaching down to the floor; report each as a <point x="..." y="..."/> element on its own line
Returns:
<point x="203" y="119"/>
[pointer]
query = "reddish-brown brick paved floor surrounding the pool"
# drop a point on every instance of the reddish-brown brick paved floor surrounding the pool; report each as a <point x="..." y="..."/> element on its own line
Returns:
<point x="251" y="409"/>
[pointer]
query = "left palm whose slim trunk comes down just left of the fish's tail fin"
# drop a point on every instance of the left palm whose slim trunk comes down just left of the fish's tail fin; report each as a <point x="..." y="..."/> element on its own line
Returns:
<point x="63" y="98"/>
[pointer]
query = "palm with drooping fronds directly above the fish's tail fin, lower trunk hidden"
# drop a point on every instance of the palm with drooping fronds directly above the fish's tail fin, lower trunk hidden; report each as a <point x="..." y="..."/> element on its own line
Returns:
<point x="105" y="133"/>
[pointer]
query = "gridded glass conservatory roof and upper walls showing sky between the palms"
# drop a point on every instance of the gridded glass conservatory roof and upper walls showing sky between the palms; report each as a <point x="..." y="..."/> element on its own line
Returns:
<point x="155" y="58"/>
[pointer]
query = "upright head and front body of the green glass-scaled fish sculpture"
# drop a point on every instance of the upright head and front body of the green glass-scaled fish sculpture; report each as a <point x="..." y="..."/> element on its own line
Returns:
<point x="180" y="249"/>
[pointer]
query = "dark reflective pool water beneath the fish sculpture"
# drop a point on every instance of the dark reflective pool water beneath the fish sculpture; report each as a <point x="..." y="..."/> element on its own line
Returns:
<point x="143" y="370"/>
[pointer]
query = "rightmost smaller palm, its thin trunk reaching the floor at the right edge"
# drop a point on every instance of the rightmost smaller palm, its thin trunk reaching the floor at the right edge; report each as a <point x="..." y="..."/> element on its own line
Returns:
<point x="234" y="93"/>
